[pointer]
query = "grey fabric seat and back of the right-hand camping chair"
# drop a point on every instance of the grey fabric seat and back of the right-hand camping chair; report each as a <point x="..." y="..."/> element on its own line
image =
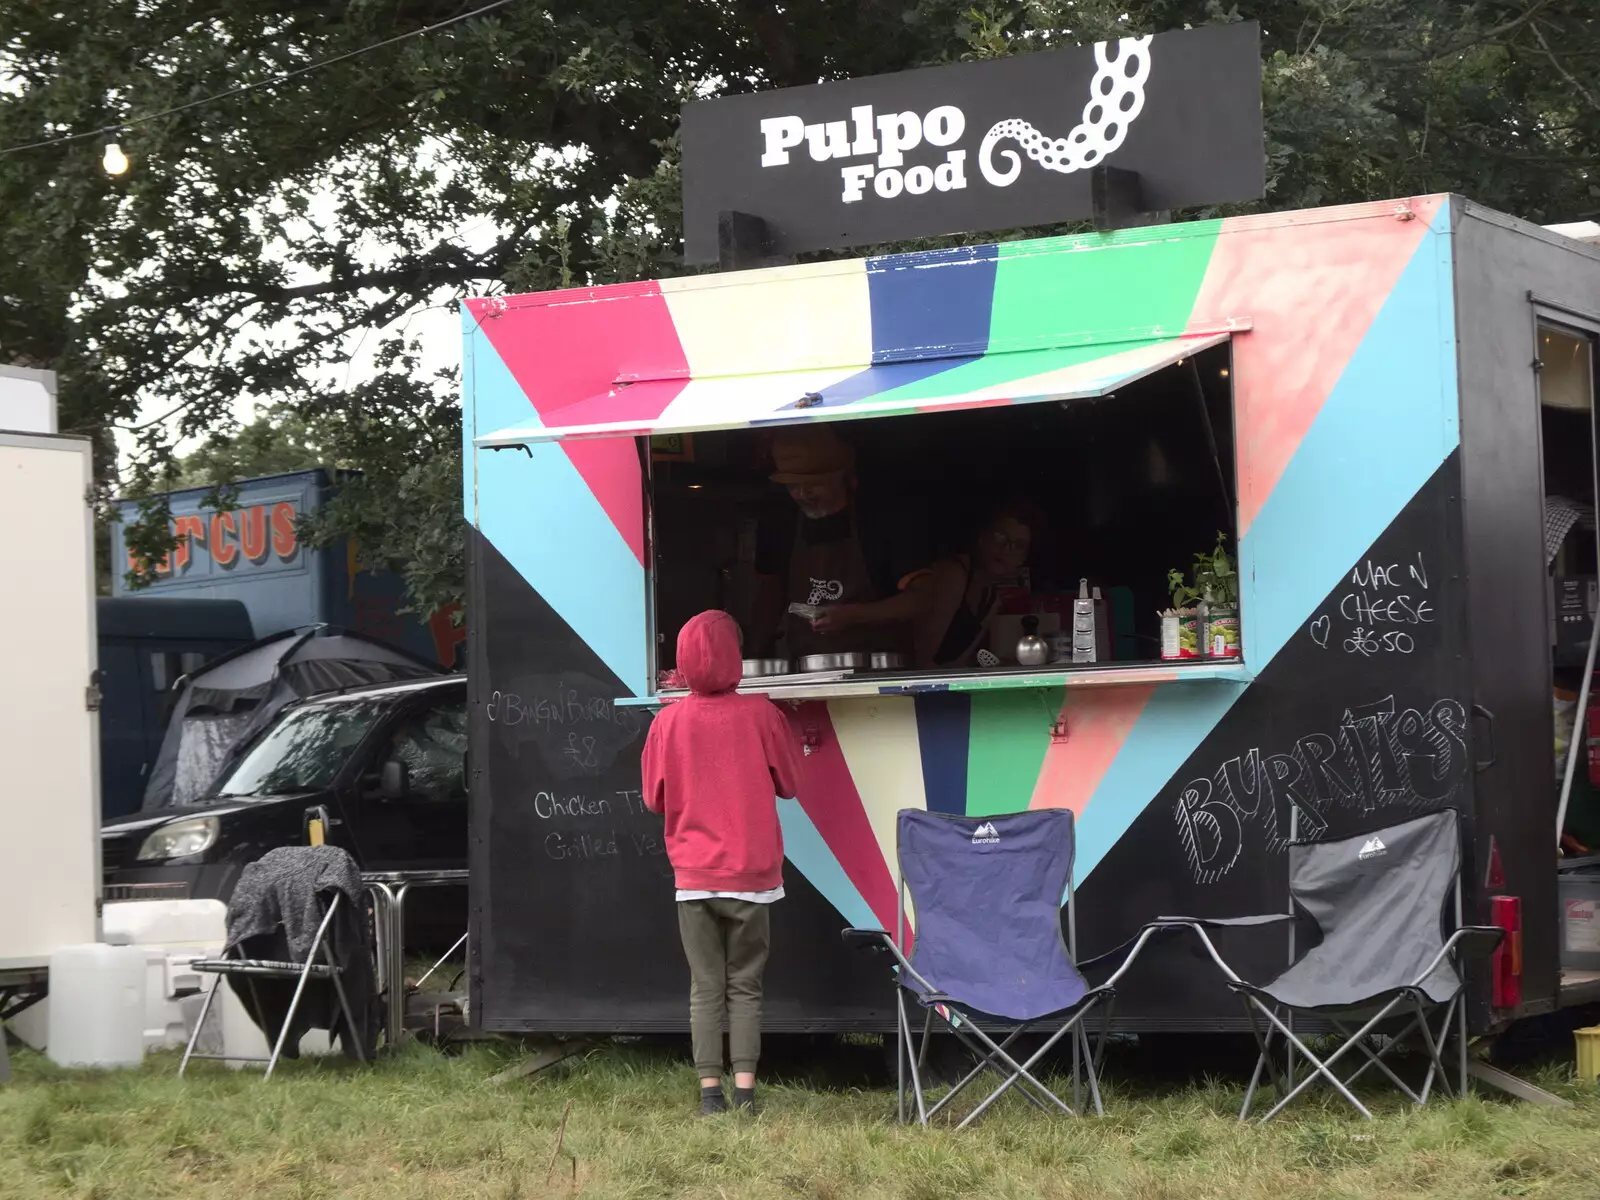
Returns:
<point x="1382" y="903"/>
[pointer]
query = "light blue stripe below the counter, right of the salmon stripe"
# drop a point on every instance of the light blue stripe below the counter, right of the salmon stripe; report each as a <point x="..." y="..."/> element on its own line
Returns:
<point x="1172" y="727"/>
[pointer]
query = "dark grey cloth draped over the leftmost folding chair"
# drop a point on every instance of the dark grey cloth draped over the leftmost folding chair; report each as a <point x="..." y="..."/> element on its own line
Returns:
<point x="286" y="887"/>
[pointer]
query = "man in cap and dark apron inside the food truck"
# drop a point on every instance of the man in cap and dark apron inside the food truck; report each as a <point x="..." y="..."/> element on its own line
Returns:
<point x="836" y="553"/>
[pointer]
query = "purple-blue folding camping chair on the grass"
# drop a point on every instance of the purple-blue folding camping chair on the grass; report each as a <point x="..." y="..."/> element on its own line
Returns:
<point x="988" y="951"/>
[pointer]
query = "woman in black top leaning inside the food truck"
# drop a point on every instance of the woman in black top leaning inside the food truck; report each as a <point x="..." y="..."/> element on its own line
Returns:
<point x="953" y="602"/>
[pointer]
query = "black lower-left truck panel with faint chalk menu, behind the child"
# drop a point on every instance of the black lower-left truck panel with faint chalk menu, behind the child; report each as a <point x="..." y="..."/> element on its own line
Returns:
<point x="574" y="916"/>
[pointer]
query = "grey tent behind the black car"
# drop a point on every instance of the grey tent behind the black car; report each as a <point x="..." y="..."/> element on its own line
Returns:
<point x="231" y="700"/>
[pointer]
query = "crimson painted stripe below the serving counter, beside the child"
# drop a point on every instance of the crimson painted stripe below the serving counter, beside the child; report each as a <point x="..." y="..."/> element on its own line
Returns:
<point x="830" y="798"/>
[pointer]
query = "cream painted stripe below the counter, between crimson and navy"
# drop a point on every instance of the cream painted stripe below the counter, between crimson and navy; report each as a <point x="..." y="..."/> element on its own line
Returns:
<point x="878" y="737"/>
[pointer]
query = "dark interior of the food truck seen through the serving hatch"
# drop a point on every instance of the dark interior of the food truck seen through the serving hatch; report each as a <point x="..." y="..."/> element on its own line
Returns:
<point x="1106" y="497"/>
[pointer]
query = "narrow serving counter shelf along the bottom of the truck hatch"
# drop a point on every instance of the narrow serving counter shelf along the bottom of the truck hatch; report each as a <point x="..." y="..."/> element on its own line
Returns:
<point x="842" y="686"/>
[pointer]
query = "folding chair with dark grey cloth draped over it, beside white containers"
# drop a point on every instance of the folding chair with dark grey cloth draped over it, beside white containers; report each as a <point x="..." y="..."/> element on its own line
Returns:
<point x="287" y="884"/>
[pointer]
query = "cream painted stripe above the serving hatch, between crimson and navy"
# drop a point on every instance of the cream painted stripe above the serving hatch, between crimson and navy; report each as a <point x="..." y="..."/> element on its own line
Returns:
<point x="786" y="319"/>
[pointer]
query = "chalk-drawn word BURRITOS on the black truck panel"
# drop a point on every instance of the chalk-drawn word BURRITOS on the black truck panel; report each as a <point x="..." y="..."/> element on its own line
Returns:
<point x="1380" y="758"/>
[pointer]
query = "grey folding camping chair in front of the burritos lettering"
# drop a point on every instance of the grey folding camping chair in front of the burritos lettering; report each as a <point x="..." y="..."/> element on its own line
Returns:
<point x="1383" y="967"/>
